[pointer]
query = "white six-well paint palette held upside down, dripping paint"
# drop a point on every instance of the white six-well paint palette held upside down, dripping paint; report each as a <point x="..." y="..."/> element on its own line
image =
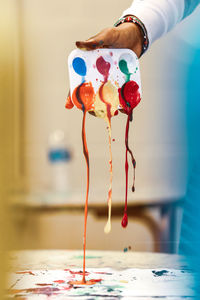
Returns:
<point x="116" y="70"/>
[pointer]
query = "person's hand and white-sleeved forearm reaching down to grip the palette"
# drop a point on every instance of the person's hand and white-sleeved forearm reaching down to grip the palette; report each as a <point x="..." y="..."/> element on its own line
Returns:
<point x="158" y="16"/>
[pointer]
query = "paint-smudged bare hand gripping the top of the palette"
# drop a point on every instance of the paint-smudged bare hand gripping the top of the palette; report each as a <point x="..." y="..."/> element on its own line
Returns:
<point x="126" y="35"/>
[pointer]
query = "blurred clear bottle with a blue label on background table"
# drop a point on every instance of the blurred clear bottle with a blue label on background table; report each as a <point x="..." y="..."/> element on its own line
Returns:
<point x="59" y="157"/>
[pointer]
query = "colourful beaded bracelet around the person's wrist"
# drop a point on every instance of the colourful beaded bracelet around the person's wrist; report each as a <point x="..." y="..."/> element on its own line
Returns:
<point x="137" y="21"/>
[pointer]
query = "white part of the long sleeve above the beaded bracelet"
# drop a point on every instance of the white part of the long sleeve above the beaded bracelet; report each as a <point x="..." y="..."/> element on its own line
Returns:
<point x="158" y="16"/>
